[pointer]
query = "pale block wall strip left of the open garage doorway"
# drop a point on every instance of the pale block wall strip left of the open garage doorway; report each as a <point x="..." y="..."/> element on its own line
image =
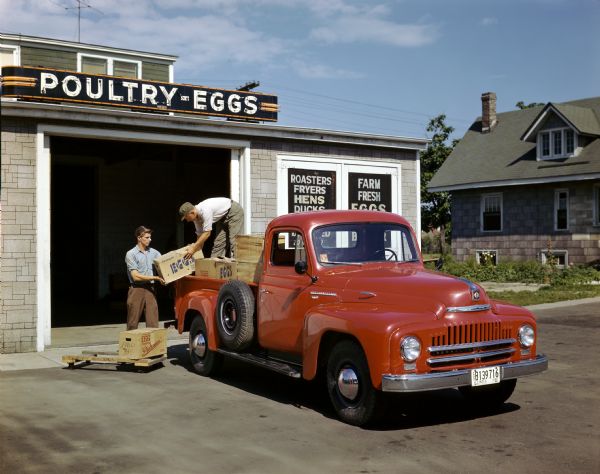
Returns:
<point x="17" y="237"/>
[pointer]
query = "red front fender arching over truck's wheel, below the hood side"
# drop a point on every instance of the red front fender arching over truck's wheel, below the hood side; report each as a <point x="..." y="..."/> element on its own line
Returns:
<point x="374" y="341"/>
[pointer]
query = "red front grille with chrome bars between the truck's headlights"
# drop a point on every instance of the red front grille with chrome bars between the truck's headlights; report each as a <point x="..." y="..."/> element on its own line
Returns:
<point x="465" y="344"/>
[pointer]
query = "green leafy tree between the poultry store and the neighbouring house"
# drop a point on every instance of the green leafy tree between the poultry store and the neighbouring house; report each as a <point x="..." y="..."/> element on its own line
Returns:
<point x="435" y="207"/>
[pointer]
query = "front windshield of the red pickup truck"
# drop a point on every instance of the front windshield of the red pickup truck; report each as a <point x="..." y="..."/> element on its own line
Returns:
<point x="362" y="242"/>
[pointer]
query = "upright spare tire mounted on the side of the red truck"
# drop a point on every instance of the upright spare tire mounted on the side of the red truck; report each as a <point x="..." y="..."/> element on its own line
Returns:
<point x="235" y="315"/>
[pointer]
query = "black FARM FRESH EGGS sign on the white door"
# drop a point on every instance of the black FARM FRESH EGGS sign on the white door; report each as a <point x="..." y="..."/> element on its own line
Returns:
<point x="370" y="191"/>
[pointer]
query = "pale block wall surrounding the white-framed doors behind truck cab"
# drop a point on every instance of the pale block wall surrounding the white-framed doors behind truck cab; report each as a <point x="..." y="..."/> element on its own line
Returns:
<point x="263" y="163"/>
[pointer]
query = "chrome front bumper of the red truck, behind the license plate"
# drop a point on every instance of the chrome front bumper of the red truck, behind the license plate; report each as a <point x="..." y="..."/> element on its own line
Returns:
<point x="457" y="378"/>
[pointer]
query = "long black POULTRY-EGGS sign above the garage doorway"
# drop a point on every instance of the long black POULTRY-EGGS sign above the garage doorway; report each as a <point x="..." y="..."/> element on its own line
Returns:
<point x="40" y="84"/>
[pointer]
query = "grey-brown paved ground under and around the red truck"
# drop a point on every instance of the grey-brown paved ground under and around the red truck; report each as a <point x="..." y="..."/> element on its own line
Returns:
<point x="99" y="420"/>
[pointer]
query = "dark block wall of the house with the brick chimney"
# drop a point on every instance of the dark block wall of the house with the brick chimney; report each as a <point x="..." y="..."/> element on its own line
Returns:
<point x="528" y="224"/>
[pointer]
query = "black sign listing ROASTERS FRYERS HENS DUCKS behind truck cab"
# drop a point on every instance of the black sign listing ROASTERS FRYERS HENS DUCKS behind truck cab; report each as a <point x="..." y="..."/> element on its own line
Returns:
<point x="310" y="190"/>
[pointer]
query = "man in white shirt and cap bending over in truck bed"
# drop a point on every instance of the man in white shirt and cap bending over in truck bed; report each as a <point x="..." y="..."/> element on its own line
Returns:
<point x="227" y="217"/>
